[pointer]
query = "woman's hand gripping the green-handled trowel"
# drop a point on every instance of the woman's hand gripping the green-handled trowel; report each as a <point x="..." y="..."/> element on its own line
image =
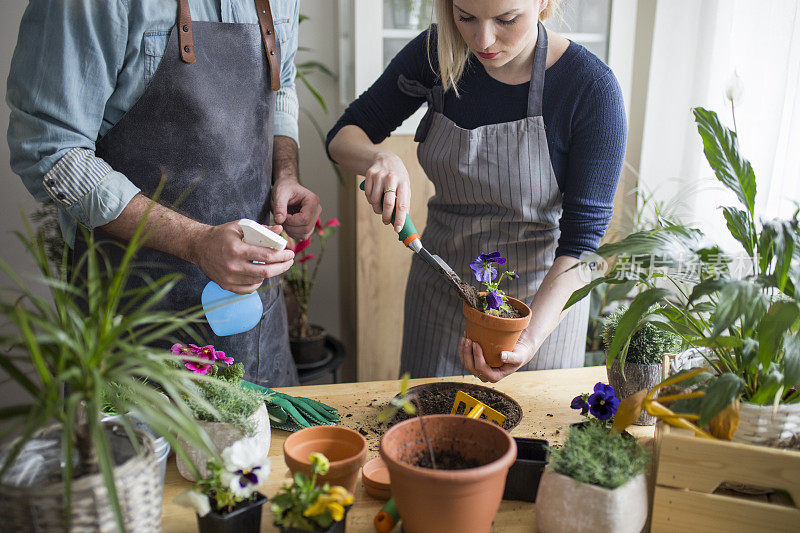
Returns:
<point x="387" y="177"/>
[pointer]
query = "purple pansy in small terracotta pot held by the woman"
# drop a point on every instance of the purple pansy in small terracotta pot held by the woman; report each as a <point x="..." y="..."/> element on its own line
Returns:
<point x="494" y="319"/>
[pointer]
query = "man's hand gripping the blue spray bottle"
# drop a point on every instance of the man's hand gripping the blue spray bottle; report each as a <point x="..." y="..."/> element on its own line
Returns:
<point x="225" y="258"/>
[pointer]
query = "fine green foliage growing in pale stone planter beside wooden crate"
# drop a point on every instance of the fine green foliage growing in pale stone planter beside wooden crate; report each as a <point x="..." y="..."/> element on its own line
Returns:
<point x="593" y="455"/>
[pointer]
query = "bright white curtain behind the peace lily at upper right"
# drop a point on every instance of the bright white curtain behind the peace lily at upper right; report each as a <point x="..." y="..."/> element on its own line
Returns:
<point x="697" y="45"/>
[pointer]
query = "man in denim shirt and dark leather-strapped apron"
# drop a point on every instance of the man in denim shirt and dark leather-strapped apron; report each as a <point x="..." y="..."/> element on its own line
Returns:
<point x="110" y="98"/>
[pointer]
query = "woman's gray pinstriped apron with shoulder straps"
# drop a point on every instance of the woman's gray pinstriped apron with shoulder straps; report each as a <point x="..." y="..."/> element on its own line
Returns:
<point x="495" y="190"/>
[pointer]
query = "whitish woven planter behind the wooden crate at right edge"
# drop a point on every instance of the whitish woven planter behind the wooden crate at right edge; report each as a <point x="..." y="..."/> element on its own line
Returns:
<point x="759" y="424"/>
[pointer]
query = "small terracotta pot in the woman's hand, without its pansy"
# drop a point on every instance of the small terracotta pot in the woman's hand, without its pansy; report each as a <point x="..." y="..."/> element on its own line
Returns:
<point x="495" y="334"/>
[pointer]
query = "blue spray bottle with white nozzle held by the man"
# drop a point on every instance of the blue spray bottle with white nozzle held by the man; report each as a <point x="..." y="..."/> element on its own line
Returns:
<point x="229" y="313"/>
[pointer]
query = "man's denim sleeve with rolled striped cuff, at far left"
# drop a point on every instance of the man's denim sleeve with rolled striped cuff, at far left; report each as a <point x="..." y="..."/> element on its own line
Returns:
<point x="62" y="73"/>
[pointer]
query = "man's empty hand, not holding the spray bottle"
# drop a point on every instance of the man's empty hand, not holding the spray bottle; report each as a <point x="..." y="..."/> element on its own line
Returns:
<point x="295" y="207"/>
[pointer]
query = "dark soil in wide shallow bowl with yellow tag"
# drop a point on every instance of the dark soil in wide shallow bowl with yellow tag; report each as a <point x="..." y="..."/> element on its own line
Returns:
<point x="437" y="399"/>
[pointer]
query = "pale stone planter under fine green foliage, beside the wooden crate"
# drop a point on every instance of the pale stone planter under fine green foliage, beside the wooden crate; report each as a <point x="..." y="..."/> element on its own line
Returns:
<point x="564" y="505"/>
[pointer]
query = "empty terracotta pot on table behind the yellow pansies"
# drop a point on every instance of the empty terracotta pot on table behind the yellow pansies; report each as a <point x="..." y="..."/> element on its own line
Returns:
<point x="345" y="449"/>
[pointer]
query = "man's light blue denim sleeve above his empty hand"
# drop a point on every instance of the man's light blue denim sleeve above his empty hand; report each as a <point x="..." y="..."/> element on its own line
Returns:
<point x="287" y="108"/>
